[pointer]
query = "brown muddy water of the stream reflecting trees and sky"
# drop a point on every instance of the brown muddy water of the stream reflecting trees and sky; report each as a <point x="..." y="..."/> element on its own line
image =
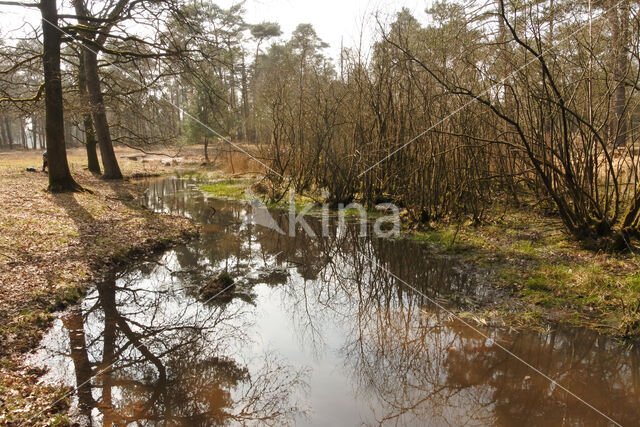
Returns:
<point x="317" y="331"/>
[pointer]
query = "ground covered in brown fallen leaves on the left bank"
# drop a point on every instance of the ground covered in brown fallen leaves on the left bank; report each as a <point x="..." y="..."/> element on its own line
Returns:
<point x="52" y="247"/>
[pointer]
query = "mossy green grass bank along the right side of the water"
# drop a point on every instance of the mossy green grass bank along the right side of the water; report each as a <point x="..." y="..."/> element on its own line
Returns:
<point x="530" y="257"/>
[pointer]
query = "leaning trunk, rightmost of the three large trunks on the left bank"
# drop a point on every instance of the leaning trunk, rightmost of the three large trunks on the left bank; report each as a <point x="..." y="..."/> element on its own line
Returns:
<point x="109" y="160"/>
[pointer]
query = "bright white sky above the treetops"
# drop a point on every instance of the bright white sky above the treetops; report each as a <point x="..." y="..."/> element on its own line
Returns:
<point x="332" y="19"/>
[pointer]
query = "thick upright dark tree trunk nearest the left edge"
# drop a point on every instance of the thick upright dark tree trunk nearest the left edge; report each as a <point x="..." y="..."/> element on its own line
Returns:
<point x="60" y="179"/>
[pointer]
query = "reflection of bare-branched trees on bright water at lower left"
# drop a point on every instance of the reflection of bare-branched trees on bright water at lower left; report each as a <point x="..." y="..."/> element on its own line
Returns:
<point x="145" y="350"/>
